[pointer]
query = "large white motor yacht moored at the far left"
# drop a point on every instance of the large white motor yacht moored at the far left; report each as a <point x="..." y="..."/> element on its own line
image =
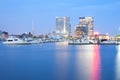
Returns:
<point x="15" y="41"/>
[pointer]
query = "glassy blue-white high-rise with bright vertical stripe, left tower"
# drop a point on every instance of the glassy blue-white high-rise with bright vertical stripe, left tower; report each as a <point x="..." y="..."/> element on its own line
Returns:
<point x="63" y="25"/>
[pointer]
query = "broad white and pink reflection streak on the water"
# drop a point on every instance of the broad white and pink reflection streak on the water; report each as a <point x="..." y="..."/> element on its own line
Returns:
<point x="88" y="63"/>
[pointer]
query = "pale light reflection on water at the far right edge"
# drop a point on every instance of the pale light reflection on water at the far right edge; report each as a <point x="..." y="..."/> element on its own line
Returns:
<point x="118" y="63"/>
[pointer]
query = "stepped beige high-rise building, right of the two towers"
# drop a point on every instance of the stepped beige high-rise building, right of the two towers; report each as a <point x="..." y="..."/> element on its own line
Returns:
<point x="85" y="26"/>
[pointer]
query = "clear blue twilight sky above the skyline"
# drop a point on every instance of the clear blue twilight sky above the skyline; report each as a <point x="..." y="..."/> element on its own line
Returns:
<point x="16" y="16"/>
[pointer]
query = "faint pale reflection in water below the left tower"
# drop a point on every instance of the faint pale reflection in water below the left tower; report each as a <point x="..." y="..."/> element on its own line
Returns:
<point x="62" y="60"/>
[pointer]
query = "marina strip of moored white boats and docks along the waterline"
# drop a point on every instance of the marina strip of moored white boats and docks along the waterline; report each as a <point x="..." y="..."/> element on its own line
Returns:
<point x="12" y="40"/>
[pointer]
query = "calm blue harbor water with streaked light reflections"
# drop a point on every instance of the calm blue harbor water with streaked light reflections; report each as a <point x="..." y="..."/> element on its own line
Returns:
<point x="52" y="61"/>
